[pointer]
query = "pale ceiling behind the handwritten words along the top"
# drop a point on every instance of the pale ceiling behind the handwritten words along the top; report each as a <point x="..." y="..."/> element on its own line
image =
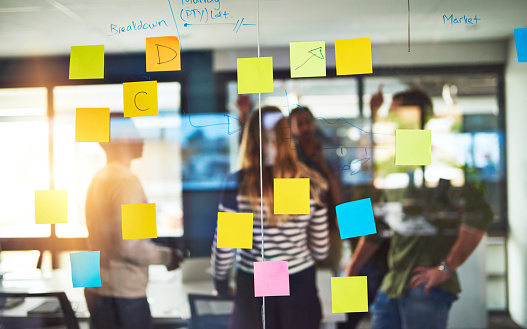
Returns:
<point x="38" y="27"/>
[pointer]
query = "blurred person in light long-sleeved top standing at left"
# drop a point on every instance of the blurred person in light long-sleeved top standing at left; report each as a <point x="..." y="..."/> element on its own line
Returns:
<point x="121" y="301"/>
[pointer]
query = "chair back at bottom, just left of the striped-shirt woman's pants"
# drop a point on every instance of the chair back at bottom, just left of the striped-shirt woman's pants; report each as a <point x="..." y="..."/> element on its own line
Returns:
<point x="209" y="312"/>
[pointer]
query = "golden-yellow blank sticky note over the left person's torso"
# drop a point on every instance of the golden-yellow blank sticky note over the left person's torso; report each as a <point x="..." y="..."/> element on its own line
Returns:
<point x="139" y="221"/>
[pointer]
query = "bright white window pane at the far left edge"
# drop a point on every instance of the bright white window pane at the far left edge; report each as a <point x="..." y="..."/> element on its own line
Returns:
<point x="25" y="160"/>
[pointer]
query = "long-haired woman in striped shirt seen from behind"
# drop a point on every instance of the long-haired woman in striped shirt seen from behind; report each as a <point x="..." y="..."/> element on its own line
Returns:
<point x="298" y="239"/>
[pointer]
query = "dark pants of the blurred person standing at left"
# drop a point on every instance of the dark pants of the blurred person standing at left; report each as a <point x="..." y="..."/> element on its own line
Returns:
<point x="118" y="313"/>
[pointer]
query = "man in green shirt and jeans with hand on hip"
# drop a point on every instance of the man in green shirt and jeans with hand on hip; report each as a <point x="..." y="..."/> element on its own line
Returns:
<point x="441" y="227"/>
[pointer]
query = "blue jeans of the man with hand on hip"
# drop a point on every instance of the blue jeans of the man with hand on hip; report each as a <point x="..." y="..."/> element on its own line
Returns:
<point x="415" y="310"/>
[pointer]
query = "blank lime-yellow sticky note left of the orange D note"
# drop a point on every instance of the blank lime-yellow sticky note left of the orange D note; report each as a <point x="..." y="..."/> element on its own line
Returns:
<point x="87" y="62"/>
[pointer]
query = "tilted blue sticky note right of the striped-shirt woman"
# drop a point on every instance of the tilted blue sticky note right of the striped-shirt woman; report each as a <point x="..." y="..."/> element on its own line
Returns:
<point x="355" y="218"/>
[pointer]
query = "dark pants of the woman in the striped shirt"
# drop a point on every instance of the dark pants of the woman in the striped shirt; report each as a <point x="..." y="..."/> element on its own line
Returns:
<point x="300" y="310"/>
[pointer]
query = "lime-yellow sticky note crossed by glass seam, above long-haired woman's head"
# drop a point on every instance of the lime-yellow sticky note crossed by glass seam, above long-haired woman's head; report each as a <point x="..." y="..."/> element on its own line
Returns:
<point x="255" y="75"/>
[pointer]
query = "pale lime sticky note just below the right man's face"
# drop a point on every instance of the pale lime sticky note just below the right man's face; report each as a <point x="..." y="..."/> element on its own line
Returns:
<point x="413" y="147"/>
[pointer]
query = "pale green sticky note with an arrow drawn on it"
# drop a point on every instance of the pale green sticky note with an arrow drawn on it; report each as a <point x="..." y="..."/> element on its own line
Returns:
<point x="307" y="59"/>
